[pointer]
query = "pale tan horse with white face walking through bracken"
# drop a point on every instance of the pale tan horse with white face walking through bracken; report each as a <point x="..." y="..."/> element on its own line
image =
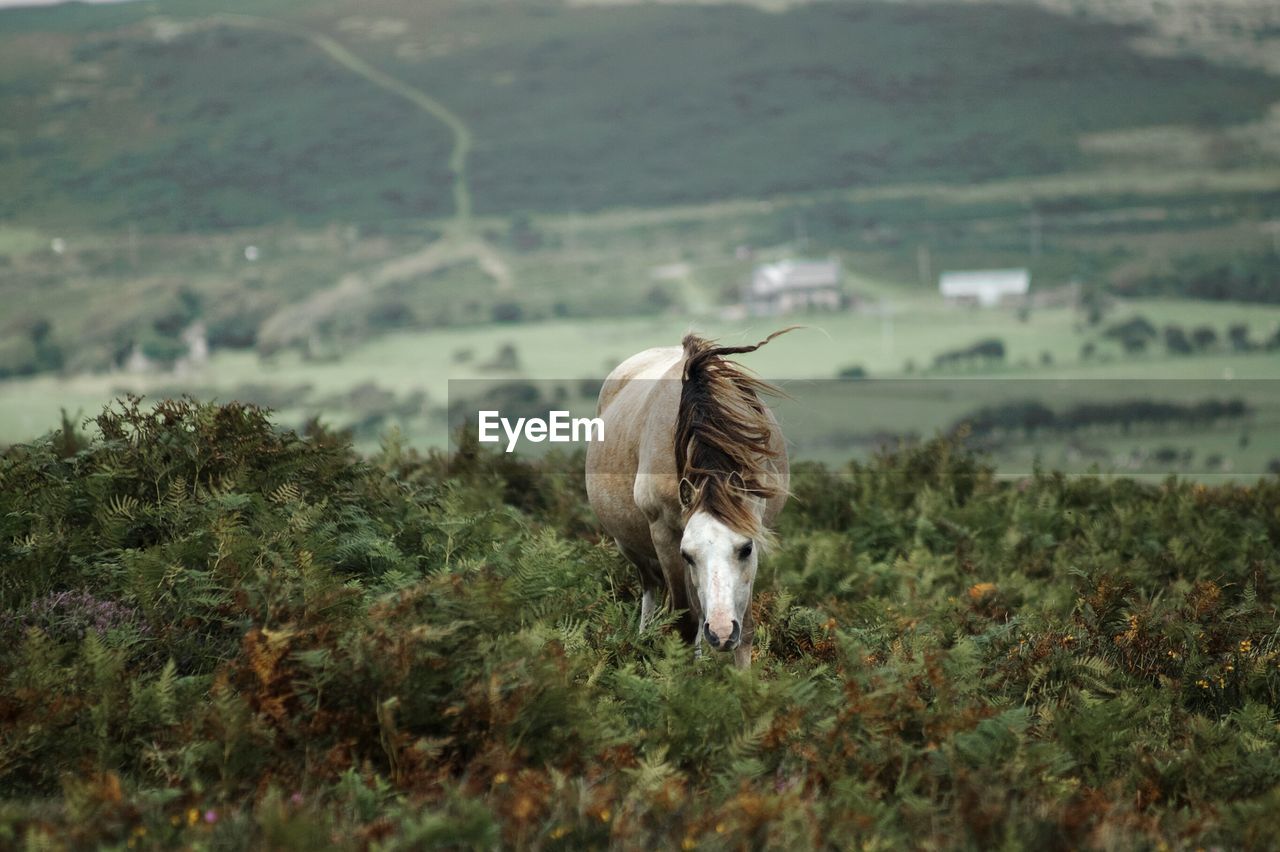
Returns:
<point x="689" y="479"/>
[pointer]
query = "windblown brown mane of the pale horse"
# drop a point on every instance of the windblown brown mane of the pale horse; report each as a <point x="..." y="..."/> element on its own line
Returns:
<point x="724" y="429"/>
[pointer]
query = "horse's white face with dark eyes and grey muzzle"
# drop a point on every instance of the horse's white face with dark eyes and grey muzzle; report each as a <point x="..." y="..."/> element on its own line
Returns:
<point x="720" y="569"/>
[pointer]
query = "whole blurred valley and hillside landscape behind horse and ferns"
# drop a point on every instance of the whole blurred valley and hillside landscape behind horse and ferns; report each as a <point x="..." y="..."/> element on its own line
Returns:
<point x="1055" y="222"/>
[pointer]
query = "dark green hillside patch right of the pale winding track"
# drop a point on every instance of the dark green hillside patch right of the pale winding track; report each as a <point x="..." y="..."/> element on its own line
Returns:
<point x="652" y="106"/>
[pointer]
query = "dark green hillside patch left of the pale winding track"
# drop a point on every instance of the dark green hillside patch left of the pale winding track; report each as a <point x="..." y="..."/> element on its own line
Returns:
<point x="217" y="129"/>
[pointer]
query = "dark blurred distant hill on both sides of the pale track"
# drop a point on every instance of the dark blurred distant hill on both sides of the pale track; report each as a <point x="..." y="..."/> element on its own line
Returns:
<point x="184" y="122"/>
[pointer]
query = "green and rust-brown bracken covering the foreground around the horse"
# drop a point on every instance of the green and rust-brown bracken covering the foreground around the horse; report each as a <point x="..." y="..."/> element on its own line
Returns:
<point x="221" y="635"/>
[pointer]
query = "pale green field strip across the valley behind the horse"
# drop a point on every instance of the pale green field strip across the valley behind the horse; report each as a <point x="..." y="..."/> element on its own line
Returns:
<point x="902" y="349"/>
